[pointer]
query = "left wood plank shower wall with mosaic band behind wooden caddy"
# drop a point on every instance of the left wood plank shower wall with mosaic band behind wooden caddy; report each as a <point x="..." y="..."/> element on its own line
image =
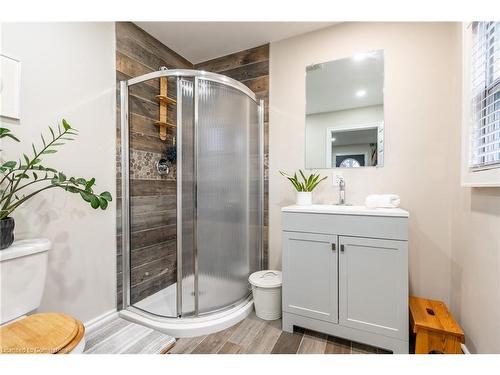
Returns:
<point x="153" y="196"/>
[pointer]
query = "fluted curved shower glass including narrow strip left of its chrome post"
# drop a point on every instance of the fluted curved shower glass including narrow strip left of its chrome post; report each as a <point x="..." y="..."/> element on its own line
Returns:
<point x="221" y="195"/>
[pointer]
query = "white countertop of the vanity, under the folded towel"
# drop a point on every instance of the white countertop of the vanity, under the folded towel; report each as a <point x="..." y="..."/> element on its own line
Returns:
<point x="347" y="210"/>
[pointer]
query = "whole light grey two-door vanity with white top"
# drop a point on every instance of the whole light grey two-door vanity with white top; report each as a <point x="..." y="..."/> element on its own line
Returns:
<point x="345" y="273"/>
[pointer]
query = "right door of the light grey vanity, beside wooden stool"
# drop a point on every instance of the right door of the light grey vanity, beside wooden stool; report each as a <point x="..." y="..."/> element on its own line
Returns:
<point x="373" y="285"/>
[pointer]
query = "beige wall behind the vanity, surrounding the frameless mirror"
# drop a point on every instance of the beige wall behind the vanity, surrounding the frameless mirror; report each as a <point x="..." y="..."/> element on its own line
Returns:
<point x="419" y="105"/>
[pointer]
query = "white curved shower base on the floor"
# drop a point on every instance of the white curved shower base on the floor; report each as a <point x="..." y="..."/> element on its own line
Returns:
<point x="158" y="311"/>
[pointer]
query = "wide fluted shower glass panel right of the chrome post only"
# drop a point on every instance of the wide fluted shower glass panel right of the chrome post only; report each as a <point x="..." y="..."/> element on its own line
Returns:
<point x="227" y="194"/>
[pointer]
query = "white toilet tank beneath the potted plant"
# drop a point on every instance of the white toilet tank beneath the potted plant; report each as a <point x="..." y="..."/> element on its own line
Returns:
<point x="23" y="268"/>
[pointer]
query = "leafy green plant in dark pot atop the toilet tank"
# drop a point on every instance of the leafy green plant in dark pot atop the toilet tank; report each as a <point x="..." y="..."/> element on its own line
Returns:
<point x="23" y="179"/>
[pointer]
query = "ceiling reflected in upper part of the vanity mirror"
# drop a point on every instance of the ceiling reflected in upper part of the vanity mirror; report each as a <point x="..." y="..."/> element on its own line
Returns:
<point x="332" y="86"/>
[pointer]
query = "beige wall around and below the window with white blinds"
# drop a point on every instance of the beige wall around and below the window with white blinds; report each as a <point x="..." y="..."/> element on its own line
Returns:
<point x="475" y="234"/>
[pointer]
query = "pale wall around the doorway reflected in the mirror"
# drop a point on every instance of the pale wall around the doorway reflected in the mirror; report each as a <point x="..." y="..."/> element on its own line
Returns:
<point x="317" y="123"/>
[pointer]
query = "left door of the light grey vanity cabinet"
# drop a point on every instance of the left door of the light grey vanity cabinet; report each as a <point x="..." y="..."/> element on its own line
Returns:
<point x="310" y="275"/>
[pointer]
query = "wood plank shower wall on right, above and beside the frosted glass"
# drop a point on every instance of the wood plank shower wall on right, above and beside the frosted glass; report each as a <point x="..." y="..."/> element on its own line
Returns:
<point x="250" y="67"/>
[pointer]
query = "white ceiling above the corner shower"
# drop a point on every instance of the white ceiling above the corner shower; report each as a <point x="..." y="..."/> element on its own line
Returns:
<point x="202" y="41"/>
